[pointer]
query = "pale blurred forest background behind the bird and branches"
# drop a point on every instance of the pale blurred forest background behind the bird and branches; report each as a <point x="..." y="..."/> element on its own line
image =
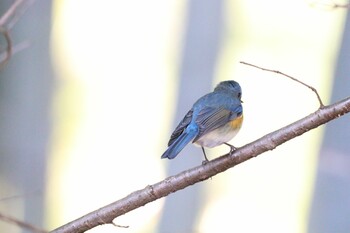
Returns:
<point x="87" y="109"/>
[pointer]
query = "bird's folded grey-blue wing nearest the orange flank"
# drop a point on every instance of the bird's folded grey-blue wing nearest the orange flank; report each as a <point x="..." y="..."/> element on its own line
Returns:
<point x="211" y="118"/>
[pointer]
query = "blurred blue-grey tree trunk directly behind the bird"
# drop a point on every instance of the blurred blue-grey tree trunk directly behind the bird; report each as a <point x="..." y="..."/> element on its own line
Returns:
<point x="200" y="49"/>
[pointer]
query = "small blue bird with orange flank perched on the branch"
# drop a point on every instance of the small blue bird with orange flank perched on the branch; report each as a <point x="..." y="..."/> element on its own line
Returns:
<point x="213" y="120"/>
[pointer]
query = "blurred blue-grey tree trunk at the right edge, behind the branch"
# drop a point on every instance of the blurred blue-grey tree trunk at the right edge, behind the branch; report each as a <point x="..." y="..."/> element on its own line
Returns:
<point x="330" y="209"/>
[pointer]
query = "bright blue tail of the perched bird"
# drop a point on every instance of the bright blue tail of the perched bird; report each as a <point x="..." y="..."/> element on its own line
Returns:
<point x="175" y="148"/>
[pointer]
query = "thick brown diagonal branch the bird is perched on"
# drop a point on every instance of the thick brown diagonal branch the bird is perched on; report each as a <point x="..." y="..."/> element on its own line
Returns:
<point x="189" y="177"/>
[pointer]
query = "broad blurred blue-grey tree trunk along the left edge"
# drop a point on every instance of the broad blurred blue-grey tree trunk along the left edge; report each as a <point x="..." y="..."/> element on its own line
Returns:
<point x="25" y="94"/>
